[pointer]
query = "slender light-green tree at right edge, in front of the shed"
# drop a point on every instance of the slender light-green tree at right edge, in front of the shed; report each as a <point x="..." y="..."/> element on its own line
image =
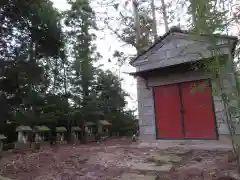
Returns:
<point x="209" y="17"/>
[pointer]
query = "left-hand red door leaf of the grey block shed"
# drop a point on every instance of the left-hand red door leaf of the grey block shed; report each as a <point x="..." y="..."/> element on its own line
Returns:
<point x="167" y="109"/>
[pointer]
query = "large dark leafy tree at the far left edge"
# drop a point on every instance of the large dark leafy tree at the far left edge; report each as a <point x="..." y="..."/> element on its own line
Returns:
<point x="30" y="36"/>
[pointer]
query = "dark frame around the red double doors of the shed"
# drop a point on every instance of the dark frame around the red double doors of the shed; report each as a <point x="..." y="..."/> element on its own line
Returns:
<point x="209" y="83"/>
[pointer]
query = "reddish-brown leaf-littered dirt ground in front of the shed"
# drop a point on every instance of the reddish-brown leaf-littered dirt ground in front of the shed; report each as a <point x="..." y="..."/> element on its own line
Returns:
<point x="120" y="159"/>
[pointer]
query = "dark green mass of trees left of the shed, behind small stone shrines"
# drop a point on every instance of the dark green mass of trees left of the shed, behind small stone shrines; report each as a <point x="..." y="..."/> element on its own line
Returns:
<point x="47" y="76"/>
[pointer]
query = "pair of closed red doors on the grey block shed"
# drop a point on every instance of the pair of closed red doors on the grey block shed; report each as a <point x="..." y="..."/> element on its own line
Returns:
<point x="185" y="111"/>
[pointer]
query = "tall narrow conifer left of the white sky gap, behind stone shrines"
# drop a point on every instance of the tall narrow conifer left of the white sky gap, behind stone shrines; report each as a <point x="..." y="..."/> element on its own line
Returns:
<point x="81" y="20"/>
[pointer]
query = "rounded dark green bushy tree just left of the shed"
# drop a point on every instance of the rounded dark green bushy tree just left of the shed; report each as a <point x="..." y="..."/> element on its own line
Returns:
<point x="112" y="102"/>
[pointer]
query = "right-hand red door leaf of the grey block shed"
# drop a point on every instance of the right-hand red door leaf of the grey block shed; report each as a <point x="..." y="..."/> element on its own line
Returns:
<point x="198" y="110"/>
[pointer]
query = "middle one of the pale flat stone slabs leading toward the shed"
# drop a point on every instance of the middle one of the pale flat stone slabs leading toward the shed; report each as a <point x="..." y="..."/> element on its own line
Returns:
<point x="151" y="167"/>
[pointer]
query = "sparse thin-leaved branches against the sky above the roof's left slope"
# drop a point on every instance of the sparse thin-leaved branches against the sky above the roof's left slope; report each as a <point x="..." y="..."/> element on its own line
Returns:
<point x="126" y="29"/>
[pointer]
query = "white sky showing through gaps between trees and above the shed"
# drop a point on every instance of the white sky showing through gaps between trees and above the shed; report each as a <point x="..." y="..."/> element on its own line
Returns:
<point x="107" y="43"/>
